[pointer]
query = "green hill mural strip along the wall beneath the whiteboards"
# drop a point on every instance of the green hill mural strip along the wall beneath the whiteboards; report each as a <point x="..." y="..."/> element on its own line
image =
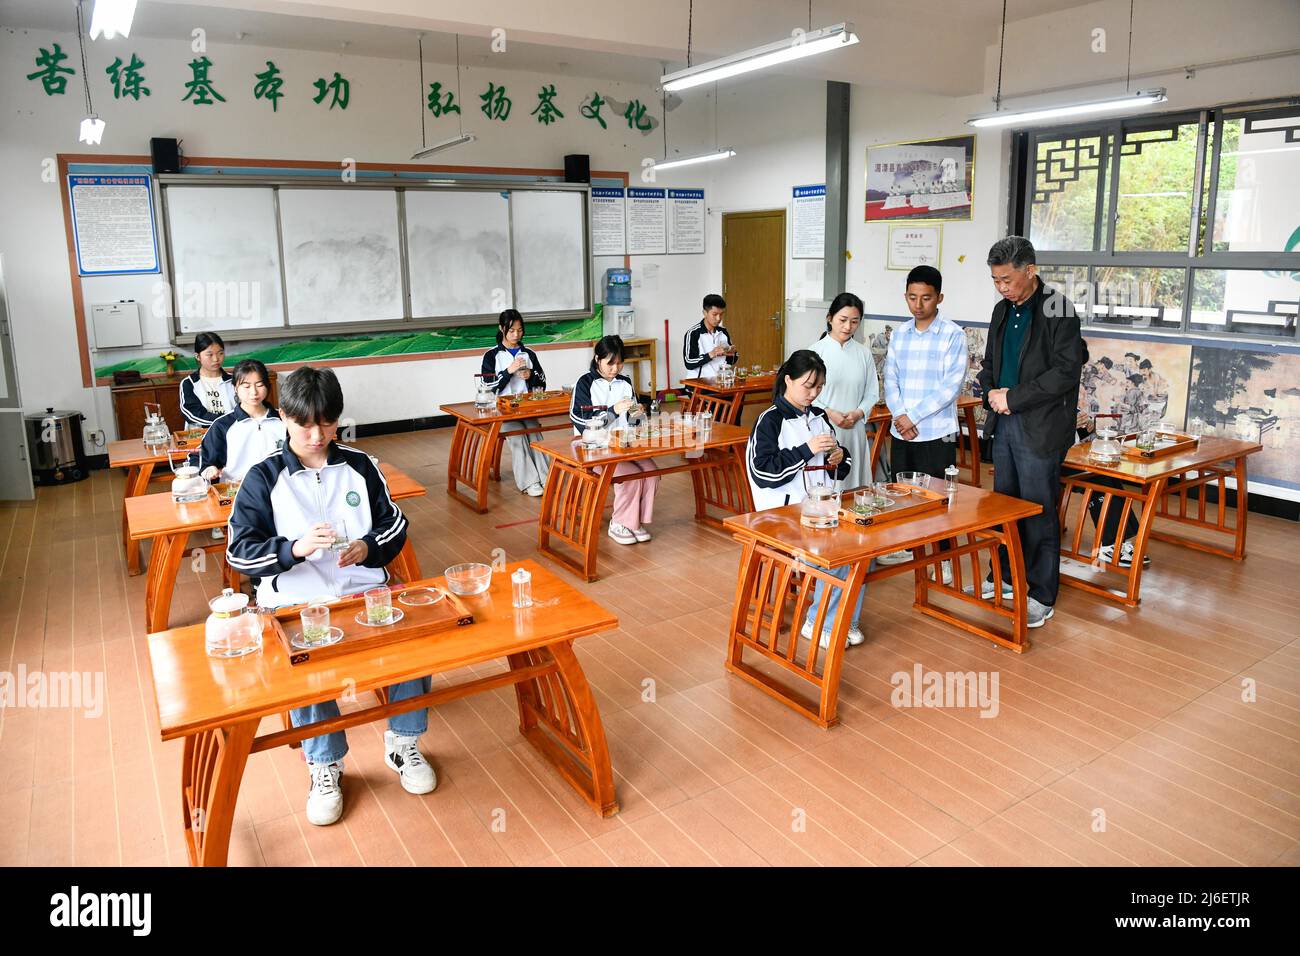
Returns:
<point x="369" y="347"/>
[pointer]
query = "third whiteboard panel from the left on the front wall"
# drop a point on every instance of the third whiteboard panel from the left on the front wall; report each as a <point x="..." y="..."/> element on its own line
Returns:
<point x="458" y="250"/>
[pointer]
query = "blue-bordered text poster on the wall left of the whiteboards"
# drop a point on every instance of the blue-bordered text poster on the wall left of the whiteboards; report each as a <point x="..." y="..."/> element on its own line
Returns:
<point x="114" y="224"/>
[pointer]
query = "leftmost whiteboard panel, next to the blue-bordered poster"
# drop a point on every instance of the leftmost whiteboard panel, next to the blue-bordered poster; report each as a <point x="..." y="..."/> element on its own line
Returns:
<point x="226" y="258"/>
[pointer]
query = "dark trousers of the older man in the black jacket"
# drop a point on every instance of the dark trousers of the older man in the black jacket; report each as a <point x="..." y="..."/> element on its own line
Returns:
<point x="1021" y="474"/>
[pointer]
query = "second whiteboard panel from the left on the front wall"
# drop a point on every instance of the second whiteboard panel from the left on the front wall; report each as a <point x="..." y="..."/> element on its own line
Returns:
<point x="343" y="259"/>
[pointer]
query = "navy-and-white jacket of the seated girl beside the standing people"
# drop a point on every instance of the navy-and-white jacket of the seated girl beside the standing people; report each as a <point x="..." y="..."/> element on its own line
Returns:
<point x="778" y="453"/>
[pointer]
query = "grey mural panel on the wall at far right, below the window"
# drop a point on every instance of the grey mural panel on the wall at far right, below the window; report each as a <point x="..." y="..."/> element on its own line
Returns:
<point x="1234" y="387"/>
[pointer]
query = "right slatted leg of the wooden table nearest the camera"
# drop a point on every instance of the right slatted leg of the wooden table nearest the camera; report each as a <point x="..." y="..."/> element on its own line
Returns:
<point x="558" y="716"/>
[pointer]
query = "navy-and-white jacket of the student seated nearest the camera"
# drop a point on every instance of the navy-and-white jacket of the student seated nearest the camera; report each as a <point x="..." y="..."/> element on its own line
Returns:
<point x="280" y="500"/>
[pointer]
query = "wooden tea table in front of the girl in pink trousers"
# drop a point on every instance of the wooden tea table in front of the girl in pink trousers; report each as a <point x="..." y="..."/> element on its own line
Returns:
<point x="579" y="483"/>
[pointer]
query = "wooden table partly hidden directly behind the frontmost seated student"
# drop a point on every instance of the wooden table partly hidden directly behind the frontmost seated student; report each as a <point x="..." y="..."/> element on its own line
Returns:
<point x="158" y="517"/>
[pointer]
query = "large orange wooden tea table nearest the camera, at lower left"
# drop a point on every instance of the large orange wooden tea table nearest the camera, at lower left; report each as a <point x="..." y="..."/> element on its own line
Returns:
<point x="218" y="706"/>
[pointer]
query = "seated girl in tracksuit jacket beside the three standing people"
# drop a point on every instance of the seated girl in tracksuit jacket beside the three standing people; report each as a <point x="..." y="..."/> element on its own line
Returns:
<point x="794" y="435"/>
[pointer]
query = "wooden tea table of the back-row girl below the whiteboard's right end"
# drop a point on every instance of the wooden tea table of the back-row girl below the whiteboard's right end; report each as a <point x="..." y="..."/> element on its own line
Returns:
<point x="478" y="443"/>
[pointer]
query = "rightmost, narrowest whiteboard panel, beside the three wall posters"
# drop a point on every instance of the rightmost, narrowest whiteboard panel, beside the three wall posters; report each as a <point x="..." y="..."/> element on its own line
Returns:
<point x="549" y="231"/>
